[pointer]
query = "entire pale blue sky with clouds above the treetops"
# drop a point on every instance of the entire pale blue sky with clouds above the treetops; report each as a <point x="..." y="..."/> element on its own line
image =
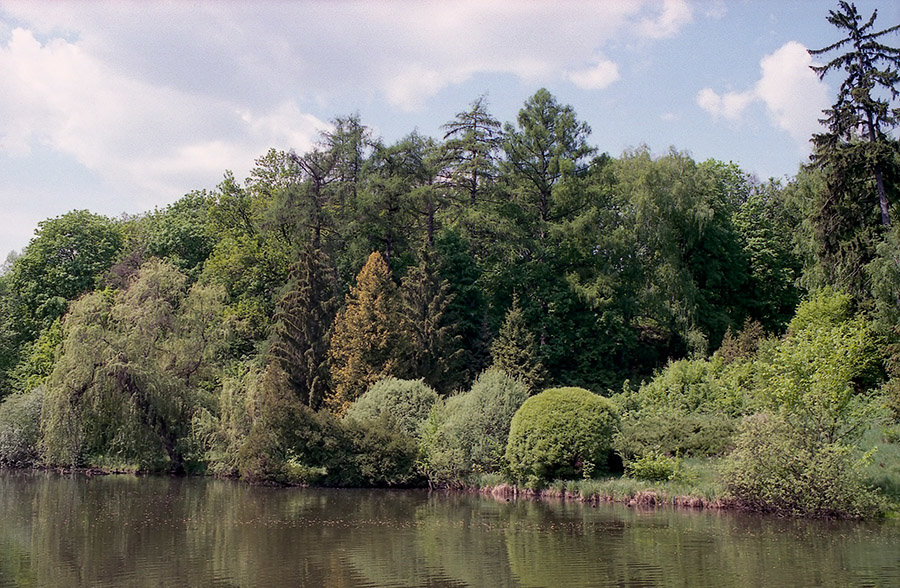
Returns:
<point x="123" y="107"/>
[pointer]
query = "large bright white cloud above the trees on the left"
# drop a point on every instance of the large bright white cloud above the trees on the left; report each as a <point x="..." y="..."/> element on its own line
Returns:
<point x="137" y="136"/>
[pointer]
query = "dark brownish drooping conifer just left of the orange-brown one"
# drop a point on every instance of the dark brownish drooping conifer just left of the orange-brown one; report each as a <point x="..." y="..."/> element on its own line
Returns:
<point x="303" y="329"/>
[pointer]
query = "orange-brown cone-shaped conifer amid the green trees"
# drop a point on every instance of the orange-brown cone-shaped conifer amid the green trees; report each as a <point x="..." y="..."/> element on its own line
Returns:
<point x="368" y="342"/>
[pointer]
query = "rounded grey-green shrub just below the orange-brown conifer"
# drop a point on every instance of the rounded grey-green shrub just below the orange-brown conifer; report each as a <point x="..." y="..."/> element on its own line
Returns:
<point x="403" y="404"/>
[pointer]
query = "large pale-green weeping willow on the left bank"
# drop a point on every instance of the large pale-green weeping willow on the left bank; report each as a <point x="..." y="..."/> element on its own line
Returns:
<point x="134" y="367"/>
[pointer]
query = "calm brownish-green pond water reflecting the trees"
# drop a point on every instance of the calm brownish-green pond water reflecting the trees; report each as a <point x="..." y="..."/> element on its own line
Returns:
<point x="134" y="531"/>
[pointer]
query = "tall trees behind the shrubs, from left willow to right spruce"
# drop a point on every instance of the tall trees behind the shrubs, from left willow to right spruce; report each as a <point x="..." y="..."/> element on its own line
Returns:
<point x="234" y="330"/>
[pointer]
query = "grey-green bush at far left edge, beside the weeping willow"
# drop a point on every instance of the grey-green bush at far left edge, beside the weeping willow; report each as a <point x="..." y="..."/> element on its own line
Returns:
<point x="20" y="428"/>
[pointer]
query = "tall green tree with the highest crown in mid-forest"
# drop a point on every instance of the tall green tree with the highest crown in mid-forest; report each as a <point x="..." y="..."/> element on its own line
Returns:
<point x="545" y="189"/>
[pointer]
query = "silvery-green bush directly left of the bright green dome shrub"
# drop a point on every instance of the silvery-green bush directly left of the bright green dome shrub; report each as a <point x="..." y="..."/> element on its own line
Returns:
<point x="467" y="435"/>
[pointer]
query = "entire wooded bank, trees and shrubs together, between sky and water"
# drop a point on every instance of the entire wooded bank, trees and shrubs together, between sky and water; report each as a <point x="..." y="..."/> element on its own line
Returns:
<point x="502" y="304"/>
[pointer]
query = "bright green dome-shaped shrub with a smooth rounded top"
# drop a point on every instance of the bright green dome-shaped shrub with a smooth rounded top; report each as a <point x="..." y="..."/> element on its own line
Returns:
<point x="561" y="433"/>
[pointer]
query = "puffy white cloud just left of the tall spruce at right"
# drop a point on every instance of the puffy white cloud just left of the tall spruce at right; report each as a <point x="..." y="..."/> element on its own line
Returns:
<point x="791" y="93"/>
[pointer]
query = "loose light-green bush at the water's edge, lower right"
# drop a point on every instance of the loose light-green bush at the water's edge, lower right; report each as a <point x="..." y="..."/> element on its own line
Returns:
<point x="779" y="468"/>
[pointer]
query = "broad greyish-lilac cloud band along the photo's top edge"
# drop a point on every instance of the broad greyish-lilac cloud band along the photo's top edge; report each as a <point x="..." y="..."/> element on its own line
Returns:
<point x="406" y="51"/>
